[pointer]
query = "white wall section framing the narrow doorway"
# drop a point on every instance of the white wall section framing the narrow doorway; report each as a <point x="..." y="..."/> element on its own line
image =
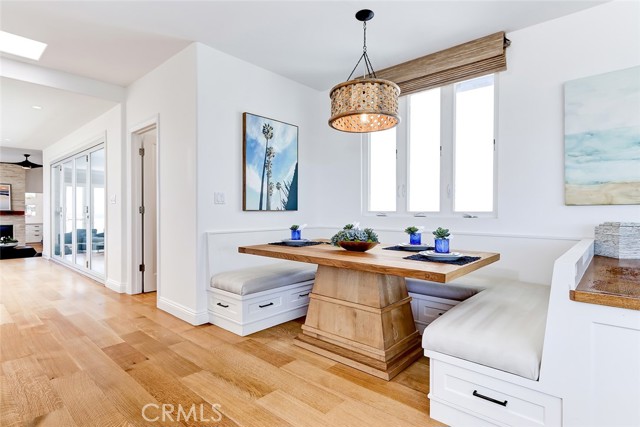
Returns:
<point x="169" y="94"/>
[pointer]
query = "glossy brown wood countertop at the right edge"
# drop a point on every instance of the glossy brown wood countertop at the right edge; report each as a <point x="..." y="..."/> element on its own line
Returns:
<point x="610" y="281"/>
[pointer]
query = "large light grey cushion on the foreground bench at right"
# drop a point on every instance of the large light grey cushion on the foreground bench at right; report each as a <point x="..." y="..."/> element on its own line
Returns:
<point x="501" y="327"/>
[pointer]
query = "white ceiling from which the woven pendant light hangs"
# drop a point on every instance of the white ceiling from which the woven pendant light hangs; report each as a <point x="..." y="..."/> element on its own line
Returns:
<point x="313" y="42"/>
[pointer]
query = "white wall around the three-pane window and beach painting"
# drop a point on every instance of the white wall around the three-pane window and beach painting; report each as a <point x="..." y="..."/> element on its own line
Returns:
<point x="530" y="147"/>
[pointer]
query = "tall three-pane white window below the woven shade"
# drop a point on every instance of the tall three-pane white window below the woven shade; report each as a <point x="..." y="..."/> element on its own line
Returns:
<point x="441" y="158"/>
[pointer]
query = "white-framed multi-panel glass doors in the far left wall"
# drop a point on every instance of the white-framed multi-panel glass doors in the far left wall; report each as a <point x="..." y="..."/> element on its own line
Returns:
<point x="78" y="210"/>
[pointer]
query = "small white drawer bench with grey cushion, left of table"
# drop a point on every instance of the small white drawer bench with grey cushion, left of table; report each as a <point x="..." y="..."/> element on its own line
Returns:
<point x="251" y="299"/>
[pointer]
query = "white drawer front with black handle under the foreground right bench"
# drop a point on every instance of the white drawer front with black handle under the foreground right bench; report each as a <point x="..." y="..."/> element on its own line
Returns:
<point x="493" y="399"/>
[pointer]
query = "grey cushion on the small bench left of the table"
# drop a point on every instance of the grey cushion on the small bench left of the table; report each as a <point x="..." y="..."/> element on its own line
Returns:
<point x="257" y="279"/>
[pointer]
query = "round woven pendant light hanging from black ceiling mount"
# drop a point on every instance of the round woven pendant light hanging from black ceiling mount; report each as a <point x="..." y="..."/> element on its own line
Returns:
<point x="366" y="104"/>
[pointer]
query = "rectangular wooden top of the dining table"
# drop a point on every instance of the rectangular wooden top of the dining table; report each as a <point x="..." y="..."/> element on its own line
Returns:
<point x="376" y="260"/>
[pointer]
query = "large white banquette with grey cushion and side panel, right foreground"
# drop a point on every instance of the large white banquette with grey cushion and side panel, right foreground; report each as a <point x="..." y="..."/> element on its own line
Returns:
<point x="520" y="354"/>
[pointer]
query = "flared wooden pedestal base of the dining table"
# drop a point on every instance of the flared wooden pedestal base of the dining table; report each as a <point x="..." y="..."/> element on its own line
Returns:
<point x="363" y="320"/>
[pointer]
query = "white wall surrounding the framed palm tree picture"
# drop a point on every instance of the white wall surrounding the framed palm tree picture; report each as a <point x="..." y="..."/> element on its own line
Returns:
<point x="227" y="87"/>
